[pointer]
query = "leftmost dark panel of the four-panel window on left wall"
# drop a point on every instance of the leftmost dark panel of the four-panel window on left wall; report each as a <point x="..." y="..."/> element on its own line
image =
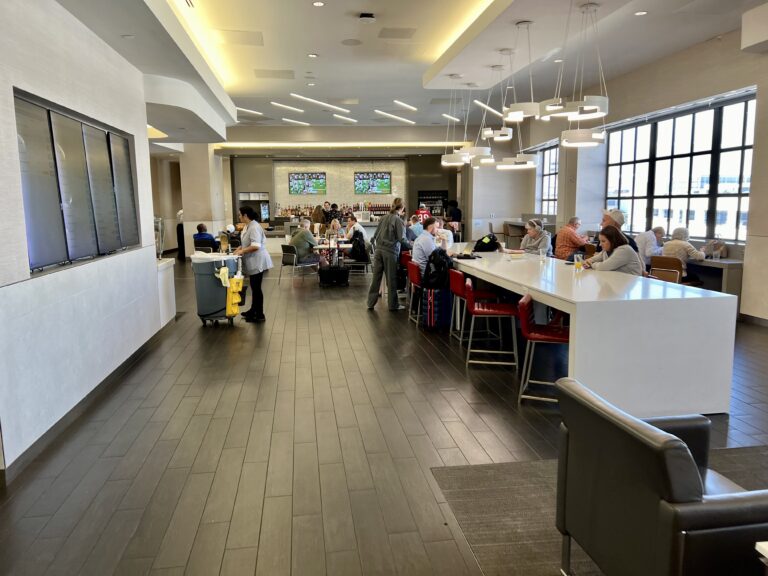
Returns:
<point x="46" y="241"/>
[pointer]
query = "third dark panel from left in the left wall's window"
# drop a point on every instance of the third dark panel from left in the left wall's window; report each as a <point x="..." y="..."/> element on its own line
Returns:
<point x="102" y="190"/>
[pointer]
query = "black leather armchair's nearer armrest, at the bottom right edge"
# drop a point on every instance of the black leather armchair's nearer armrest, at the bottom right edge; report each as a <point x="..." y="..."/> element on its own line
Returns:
<point x="721" y="511"/>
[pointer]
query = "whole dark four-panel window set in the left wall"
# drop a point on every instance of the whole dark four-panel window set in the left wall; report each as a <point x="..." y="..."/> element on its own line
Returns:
<point x="77" y="185"/>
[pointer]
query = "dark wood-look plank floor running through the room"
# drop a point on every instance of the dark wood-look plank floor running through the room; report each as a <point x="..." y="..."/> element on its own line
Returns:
<point x="299" y="446"/>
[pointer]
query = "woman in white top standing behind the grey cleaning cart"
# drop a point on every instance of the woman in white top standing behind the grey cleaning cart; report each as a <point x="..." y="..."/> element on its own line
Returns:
<point x="256" y="261"/>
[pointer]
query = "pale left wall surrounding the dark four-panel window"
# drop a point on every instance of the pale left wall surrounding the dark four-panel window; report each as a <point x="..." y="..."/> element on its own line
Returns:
<point x="65" y="331"/>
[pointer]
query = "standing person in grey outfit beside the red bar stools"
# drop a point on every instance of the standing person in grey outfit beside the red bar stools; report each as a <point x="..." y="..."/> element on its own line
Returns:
<point x="389" y="235"/>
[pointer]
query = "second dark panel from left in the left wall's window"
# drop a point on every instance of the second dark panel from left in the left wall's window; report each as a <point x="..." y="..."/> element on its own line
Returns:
<point x="73" y="186"/>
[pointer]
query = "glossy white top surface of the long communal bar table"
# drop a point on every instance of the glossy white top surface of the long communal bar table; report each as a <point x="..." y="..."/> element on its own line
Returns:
<point x="561" y="281"/>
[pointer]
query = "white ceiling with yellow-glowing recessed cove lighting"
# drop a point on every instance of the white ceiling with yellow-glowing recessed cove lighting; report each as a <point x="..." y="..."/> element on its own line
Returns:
<point x="275" y="38"/>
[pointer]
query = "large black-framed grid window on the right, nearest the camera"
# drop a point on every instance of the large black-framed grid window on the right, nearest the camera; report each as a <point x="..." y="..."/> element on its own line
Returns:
<point x="692" y="170"/>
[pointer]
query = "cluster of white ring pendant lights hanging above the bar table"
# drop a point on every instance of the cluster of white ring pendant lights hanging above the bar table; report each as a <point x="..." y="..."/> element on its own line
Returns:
<point x="580" y="107"/>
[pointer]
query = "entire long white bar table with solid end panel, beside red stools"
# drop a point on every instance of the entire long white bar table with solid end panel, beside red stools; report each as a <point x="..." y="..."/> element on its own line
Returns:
<point x="652" y="348"/>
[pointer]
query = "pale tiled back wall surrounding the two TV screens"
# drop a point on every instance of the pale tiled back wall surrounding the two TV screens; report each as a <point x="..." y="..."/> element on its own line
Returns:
<point x="339" y="181"/>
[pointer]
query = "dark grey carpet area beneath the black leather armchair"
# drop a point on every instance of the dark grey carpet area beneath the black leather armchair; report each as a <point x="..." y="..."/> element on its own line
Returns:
<point x="507" y="511"/>
